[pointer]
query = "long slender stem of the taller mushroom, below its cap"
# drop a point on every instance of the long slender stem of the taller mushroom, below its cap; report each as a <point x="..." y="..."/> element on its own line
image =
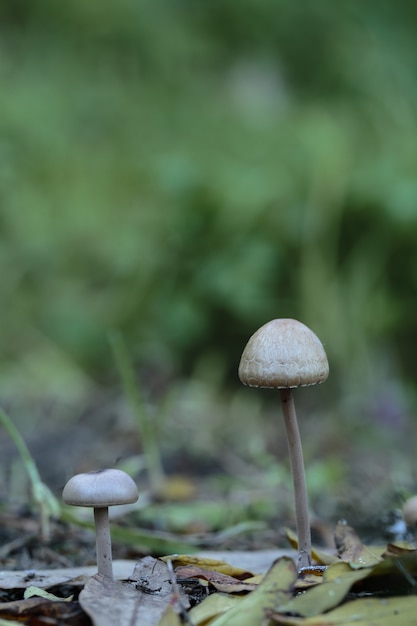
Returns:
<point x="299" y="480"/>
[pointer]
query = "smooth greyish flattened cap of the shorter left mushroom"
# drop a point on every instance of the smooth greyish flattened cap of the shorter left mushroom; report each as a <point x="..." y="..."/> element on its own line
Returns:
<point x="102" y="488"/>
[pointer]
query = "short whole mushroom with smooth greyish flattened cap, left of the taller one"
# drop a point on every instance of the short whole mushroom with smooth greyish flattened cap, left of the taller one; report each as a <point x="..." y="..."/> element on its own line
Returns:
<point x="101" y="489"/>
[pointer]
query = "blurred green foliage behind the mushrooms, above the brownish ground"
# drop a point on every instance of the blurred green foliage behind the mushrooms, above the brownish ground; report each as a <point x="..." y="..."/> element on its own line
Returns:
<point x="186" y="171"/>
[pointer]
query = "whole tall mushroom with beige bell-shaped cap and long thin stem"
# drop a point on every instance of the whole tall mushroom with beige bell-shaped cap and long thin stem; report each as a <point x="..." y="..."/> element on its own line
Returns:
<point x="283" y="354"/>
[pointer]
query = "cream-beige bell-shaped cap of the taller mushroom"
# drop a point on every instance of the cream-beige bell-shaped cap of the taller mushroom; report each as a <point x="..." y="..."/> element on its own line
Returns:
<point x="283" y="353"/>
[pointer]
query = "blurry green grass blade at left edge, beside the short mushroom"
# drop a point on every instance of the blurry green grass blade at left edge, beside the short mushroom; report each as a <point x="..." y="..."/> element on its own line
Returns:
<point x="43" y="497"/>
